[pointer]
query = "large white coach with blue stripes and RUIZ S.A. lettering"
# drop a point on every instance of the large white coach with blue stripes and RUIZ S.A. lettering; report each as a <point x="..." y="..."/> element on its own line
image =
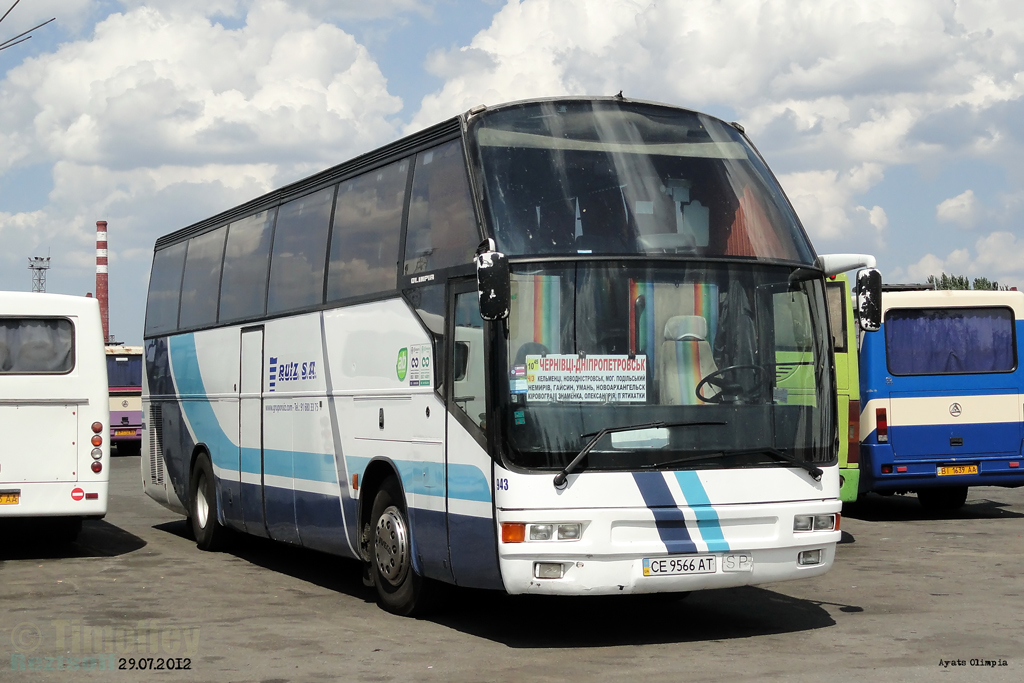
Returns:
<point x="587" y="403"/>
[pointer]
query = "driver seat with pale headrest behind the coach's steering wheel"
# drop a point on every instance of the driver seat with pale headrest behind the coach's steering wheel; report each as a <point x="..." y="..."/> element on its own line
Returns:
<point x="686" y="359"/>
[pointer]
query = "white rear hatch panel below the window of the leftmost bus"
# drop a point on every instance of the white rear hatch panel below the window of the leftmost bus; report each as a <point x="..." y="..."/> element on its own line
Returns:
<point x="42" y="443"/>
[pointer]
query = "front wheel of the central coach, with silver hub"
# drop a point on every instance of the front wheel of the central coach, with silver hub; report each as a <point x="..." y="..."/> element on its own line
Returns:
<point x="400" y="590"/>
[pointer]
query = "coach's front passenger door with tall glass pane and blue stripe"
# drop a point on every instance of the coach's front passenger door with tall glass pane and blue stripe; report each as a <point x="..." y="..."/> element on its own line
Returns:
<point x="467" y="465"/>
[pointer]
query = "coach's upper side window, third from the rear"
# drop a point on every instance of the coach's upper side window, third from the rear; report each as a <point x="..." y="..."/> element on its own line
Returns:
<point x="243" y="288"/>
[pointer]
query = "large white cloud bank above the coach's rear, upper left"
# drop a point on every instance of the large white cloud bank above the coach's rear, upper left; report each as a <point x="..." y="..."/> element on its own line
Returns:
<point x="163" y="118"/>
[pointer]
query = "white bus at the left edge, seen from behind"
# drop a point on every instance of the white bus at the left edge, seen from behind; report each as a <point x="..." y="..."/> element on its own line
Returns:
<point x="54" y="411"/>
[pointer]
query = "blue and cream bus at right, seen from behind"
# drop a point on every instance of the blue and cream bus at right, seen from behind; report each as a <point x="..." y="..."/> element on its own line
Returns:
<point x="942" y="391"/>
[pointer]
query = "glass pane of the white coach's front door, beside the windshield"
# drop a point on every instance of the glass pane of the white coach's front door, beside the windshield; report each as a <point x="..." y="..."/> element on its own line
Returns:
<point x="468" y="386"/>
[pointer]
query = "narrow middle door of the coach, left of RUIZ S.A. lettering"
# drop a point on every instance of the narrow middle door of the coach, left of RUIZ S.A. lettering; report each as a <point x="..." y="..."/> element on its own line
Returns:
<point x="251" y="432"/>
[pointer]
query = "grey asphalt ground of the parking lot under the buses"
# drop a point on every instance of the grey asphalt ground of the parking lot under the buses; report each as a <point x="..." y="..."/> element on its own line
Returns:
<point x="910" y="591"/>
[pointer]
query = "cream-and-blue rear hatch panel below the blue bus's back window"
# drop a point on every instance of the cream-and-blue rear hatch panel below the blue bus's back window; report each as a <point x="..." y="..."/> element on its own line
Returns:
<point x="948" y="426"/>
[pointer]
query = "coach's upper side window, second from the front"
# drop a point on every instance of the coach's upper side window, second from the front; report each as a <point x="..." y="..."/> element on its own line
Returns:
<point x="367" y="227"/>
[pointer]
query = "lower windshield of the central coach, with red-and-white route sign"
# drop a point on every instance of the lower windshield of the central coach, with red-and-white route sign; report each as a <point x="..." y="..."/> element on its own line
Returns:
<point x="734" y="359"/>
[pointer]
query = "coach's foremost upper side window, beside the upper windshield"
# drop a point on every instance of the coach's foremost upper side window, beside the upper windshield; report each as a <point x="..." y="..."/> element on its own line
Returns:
<point x="442" y="227"/>
